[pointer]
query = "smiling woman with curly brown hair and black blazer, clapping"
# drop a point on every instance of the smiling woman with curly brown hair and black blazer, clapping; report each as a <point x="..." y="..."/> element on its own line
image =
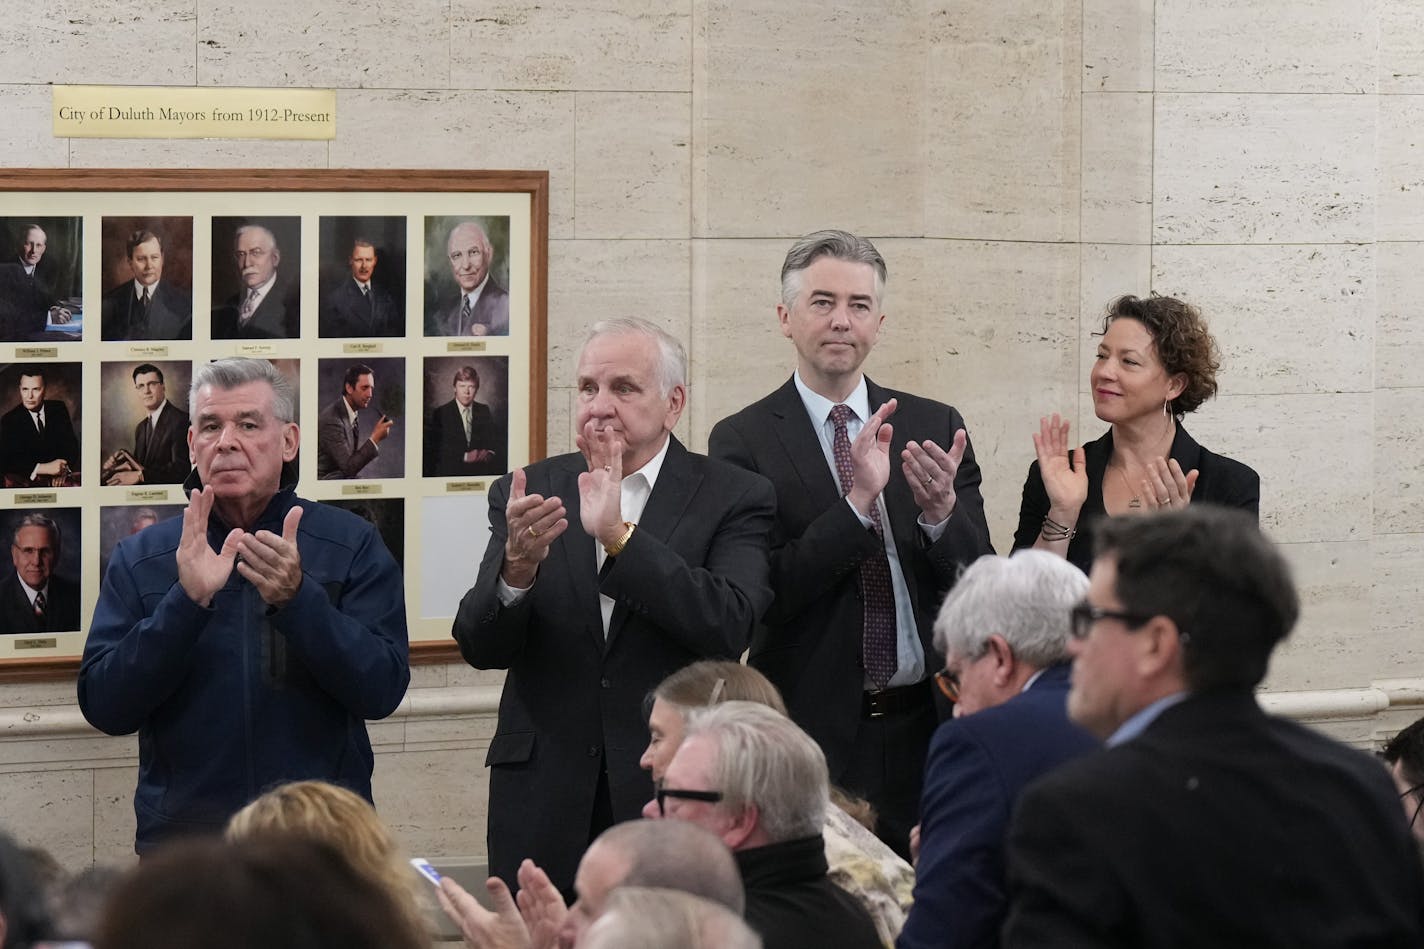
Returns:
<point x="1156" y="363"/>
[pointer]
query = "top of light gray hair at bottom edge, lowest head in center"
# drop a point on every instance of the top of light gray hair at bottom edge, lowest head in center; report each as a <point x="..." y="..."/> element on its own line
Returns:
<point x="656" y="918"/>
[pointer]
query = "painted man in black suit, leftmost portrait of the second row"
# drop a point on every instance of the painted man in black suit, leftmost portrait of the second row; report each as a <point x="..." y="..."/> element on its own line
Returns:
<point x="38" y="441"/>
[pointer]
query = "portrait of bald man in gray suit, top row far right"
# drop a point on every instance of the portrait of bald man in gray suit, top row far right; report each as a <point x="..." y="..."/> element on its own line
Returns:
<point x="473" y="301"/>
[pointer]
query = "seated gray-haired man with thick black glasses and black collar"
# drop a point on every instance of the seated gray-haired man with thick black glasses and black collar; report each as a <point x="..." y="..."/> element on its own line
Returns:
<point x="753" y="777"/>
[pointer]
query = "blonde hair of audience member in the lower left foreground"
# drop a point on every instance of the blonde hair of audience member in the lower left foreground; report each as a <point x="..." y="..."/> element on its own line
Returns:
<point x="347" y="823"/>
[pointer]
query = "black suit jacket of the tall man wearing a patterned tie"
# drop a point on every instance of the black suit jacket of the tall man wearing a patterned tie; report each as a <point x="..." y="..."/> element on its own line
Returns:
<point x="811" y="642"/>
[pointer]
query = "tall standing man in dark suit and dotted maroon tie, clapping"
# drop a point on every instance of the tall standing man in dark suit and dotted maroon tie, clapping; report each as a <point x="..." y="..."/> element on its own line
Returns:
<point x="862" y="555"/>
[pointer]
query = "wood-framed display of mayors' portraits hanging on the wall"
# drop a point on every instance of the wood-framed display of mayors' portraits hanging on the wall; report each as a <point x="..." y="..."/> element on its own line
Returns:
<point x="407" y="307"/>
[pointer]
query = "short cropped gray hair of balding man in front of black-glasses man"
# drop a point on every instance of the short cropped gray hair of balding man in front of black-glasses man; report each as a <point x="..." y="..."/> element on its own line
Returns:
<point x="677" y="856"/>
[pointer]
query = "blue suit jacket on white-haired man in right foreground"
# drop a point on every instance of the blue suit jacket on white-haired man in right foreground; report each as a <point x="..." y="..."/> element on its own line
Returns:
<point x="978" y="769"/>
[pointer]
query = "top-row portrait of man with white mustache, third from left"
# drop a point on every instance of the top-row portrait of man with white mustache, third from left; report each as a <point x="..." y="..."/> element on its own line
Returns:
<point x="257" y="276"/>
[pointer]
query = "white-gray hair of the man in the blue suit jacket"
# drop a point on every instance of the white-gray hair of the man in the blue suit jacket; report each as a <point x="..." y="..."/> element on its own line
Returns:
<point x="1026" y="599"/>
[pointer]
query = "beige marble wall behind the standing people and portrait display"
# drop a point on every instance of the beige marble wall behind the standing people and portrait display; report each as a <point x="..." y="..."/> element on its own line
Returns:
<point x="1019" y="163"/>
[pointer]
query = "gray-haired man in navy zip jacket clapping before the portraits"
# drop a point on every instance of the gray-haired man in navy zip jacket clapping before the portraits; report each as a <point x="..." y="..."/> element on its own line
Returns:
<point x="248" y="642"/>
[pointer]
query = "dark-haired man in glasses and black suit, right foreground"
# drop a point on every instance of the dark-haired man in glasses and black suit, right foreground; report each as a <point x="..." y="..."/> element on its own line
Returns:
<point x="1205" y="823"/>
